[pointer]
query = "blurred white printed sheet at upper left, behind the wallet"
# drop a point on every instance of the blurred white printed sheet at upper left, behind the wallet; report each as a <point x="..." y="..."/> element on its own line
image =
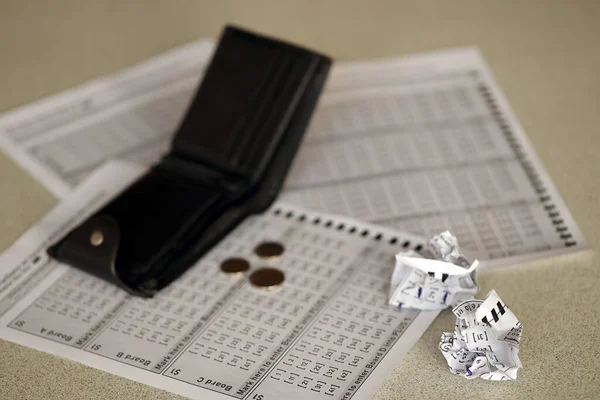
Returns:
<point x="131" y="115"/>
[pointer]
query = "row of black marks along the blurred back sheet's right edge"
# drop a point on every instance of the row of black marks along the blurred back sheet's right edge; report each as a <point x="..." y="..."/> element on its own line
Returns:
<point x="535" y="179"/>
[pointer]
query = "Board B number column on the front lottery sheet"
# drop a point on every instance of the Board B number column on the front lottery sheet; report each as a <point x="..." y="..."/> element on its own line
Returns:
<point x="159" y="328"/>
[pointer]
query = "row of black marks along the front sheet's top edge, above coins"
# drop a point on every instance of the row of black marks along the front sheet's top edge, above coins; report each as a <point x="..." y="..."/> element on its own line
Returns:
<point x="331" y="223"/>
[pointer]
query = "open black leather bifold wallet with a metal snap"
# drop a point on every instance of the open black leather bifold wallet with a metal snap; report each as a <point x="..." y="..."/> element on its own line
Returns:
<point x="228" y="159"/>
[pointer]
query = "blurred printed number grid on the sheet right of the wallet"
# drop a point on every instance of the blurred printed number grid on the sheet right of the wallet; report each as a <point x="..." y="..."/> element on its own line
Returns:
<point x="420" y="160"/>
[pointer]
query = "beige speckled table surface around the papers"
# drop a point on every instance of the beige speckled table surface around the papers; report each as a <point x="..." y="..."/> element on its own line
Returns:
<point x="546" y="57"/>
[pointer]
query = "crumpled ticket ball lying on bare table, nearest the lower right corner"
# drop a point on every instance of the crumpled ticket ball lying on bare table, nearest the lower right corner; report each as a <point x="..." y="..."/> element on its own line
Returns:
<point x="485" y="342"/>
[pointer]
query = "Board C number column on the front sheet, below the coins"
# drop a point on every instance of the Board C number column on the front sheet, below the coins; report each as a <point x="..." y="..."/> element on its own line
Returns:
<point x="246" y="338"/>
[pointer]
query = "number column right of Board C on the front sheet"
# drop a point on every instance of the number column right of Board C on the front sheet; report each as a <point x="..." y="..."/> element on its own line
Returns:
<point x="357" y="323"/>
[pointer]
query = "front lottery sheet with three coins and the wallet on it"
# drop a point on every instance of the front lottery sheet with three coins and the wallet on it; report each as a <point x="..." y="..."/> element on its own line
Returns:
<point x="326" y="332"/>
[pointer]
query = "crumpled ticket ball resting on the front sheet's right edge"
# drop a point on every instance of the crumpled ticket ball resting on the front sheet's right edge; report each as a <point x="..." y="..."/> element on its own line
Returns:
<point x="440" y="277"/>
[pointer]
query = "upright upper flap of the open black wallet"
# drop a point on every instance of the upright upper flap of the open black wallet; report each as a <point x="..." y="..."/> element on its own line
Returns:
<point x="244" y="103"/>
